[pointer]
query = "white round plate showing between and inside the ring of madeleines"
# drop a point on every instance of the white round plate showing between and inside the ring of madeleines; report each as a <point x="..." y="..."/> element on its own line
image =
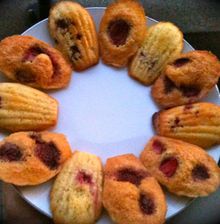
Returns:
<point x="105" y="112"/>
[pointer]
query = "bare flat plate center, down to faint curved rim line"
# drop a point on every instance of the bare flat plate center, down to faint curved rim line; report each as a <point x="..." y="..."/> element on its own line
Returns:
<point x="104" y="105"/>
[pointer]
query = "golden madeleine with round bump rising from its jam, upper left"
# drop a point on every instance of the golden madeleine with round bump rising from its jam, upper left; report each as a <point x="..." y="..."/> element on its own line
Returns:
<point x="33" y="62"/>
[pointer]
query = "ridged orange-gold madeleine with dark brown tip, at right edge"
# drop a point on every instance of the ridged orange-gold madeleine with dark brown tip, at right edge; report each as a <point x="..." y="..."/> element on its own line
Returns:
<point x="197" y="123"/>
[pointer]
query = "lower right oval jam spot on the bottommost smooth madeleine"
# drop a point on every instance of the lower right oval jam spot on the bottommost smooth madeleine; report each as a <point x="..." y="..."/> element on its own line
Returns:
<point x="146" y="204"/>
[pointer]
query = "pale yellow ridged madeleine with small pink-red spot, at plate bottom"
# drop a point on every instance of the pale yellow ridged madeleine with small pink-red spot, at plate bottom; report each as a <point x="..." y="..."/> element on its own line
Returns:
<point x="76" y="196"/>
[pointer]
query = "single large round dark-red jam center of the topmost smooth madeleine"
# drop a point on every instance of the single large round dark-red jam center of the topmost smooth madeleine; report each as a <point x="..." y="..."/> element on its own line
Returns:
<point x="118" y="31"/>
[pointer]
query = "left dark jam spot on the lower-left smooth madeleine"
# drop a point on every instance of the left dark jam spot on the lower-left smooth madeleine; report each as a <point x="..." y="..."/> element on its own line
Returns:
<point x="10" y="152"/>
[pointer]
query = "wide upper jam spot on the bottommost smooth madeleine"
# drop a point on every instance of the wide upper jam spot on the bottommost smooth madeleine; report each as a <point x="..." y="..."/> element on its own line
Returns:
<point x="130" y="175"/>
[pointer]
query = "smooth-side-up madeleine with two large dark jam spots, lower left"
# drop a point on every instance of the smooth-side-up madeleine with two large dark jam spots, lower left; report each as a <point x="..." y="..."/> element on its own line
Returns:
<point x="31" y="158"/>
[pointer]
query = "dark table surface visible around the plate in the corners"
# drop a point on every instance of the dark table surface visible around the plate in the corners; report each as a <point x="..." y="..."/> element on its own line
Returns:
<point x="200" y="22"/>
